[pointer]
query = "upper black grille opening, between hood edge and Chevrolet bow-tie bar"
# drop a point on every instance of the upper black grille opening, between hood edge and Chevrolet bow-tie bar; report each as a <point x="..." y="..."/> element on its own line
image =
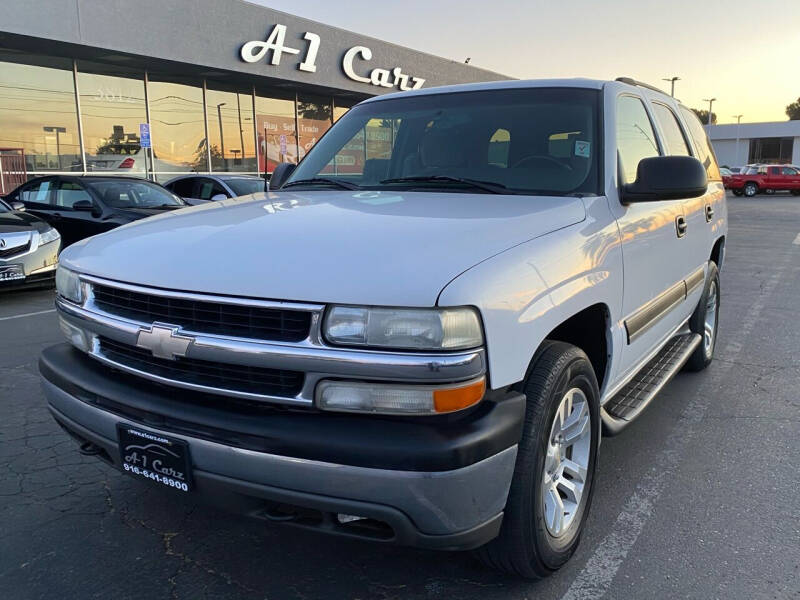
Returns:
<point x="202" y="316"/>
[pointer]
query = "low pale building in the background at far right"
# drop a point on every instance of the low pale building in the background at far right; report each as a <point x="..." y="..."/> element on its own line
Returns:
<point x="736" y="145"/>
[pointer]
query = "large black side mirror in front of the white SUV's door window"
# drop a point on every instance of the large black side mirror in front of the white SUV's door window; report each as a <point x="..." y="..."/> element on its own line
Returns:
<point x="666" y="178"/>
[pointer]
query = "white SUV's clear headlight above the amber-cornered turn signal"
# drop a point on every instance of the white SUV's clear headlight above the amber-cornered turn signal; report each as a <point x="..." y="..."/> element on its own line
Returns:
<point x="404" y="328"/>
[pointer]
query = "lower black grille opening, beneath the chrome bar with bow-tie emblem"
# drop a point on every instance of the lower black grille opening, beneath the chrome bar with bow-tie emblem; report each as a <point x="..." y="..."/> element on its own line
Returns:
<point x="238" y="378"/>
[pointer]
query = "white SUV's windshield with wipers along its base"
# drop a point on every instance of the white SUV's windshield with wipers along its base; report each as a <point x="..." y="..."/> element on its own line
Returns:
<point x="528" y="141"/>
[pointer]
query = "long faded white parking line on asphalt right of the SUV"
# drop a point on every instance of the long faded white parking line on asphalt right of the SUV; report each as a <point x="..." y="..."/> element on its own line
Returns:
<point x="597" y="575"/>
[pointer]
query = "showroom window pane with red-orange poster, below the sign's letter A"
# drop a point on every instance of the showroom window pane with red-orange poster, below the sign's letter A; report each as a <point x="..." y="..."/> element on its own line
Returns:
<point x="275" y="131"/>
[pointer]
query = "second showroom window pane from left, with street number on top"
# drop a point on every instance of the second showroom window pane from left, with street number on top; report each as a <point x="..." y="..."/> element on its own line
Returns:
<point x="112" y="107"/>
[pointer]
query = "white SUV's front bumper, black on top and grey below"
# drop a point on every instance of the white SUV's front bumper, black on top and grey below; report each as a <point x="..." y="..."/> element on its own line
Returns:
<point x="430" y="483"/>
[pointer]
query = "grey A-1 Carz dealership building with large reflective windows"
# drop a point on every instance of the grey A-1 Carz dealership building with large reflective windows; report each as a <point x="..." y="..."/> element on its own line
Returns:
<point x="159" y="88"/>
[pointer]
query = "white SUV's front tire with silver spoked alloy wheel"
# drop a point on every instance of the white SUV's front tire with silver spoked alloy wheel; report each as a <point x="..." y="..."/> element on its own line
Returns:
<point x="551" y="491"/>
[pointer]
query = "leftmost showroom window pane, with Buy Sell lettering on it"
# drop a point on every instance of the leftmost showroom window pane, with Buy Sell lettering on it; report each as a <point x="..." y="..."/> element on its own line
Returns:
<point x="38" y="117"/>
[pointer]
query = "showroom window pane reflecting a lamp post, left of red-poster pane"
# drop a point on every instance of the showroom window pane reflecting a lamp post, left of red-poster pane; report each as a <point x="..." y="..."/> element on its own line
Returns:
<point x="230" y="130"/>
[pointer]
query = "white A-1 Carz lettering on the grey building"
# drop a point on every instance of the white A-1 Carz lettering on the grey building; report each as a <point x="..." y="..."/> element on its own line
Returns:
<point x="274" y="47"/>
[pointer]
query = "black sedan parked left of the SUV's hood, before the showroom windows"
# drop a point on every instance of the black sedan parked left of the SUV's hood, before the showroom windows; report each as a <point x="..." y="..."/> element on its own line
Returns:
<point x="82" y="206"/>
